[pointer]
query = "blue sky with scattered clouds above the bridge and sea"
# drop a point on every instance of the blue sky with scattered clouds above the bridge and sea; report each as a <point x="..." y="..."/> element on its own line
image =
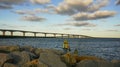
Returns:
<point x="96" y="18"/>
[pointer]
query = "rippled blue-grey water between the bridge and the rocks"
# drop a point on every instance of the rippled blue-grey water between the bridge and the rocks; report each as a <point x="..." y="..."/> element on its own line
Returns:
<point x="107" y="48"/>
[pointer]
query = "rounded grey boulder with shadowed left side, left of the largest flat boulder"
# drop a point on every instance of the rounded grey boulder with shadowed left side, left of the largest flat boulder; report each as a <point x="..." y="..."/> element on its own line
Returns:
<point x="20" y="58"/>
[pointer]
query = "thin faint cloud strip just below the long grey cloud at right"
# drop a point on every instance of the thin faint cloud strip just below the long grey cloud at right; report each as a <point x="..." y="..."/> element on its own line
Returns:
<point x="78" y="24"/>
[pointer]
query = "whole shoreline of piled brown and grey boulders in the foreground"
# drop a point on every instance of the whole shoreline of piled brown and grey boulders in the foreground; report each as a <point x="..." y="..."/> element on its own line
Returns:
<point x="27" y="56"/>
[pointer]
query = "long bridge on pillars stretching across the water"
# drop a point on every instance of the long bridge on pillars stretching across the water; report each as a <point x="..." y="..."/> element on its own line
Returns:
<point x="55" y="35"/>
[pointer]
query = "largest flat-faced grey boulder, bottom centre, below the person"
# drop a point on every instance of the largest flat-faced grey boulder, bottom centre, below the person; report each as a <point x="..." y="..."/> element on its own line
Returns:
<point x="51" y="59"/>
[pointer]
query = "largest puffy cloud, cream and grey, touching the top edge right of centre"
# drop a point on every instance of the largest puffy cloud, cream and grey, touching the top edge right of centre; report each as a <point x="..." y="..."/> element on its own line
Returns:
<point x="70" y="7"/>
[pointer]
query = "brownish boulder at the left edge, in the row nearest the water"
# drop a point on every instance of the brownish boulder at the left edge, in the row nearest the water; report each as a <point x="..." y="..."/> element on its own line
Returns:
<point x="4" y="49"/>
